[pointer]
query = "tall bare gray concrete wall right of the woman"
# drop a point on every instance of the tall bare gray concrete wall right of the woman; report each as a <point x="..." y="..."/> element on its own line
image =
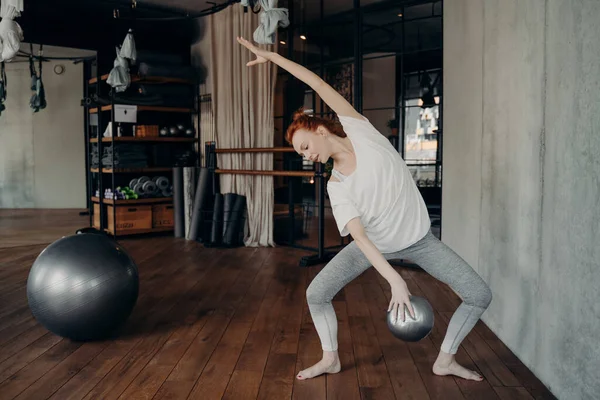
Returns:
<point x="521" y="167"/>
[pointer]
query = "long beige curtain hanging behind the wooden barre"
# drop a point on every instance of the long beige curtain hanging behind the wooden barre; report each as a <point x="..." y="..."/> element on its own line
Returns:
<point x="242" y="102"/>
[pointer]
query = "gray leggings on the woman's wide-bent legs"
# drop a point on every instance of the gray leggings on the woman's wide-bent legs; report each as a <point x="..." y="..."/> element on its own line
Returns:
<point x="429" y="253"/>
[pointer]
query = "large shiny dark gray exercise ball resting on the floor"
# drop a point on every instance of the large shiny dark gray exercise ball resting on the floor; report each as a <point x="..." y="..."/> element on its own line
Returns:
<point x="83" y="287"/>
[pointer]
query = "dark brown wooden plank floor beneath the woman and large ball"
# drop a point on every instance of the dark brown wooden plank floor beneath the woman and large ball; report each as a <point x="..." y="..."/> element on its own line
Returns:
<point x="233" y="324"/>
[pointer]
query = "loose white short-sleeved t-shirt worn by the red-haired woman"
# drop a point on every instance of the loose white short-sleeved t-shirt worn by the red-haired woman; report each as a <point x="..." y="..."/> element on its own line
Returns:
<point x="381" y="191"/>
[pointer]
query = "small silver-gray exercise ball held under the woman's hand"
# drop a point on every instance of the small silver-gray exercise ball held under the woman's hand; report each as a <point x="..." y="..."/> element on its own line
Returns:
<point x="413" y="330"/>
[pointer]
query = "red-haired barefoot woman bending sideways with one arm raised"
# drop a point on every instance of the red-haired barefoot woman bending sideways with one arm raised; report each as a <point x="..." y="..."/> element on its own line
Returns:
<point x="374" y="199"/>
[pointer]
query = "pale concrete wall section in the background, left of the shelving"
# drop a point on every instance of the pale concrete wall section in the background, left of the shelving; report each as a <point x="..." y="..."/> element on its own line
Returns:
<point x="42" y="155"/>
